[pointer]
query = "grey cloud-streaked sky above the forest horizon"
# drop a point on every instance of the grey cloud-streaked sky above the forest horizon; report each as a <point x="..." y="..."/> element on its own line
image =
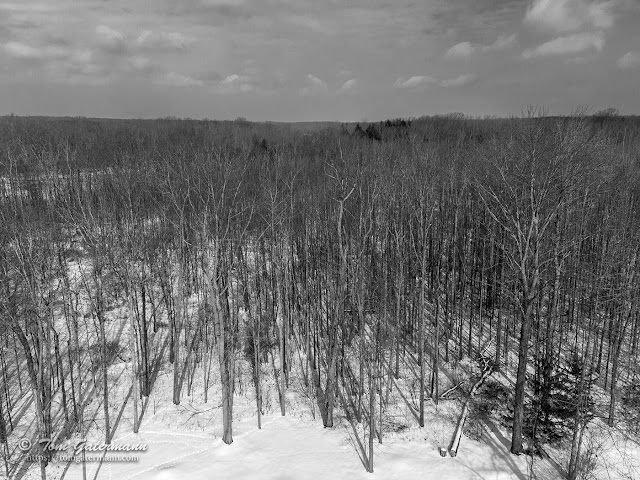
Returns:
<point x="295" y="60"/>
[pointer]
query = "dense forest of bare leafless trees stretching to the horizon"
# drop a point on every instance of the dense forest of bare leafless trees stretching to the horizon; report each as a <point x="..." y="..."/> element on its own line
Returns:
<point x="353" y="267"/>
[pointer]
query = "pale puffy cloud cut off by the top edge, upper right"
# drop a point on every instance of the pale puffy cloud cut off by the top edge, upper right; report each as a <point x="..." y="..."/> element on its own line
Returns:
<point x="570" y="15"/>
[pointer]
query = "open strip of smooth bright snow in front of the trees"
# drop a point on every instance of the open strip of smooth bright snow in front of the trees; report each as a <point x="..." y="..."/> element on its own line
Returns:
<point x="293" y="448"/>
